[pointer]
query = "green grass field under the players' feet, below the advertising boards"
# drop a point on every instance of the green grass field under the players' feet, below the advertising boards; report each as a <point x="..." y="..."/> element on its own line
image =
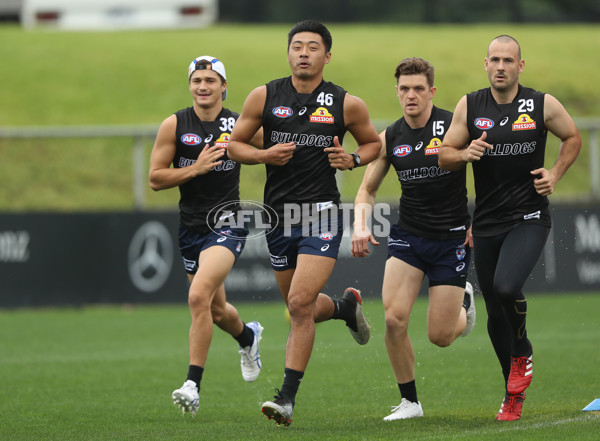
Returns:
<point x="106" y="373"/>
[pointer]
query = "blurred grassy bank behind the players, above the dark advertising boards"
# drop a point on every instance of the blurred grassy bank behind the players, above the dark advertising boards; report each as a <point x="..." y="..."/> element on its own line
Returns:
<point x="113" y="78"/>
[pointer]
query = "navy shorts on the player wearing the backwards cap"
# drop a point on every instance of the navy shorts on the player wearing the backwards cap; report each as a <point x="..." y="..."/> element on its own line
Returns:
<point x="192" y="243"/>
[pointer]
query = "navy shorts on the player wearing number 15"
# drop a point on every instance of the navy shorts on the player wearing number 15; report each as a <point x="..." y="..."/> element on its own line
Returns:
<point x="446" y="262"/>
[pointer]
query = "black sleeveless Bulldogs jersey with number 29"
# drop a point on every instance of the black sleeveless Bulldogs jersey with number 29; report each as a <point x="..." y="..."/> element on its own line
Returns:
<point x="505" y="195"/>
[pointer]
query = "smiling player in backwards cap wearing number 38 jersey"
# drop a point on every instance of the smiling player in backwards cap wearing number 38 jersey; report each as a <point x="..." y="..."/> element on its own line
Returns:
<point x="194" y="141"/>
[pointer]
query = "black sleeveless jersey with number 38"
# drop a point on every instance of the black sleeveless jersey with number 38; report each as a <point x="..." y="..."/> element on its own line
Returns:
<point x="220" y="185"/>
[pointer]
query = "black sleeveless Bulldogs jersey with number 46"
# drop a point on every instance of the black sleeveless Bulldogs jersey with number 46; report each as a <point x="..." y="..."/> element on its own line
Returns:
<point x="311" y="121"/>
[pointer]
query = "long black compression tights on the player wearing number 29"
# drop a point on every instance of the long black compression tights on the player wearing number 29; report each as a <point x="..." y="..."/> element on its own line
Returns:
<point x="503" y="263"/>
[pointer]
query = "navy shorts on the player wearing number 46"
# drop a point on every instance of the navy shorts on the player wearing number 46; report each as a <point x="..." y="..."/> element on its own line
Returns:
<point x="320" y="239"/>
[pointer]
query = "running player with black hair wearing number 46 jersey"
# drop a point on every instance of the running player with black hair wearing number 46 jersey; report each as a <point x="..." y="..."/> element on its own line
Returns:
<point x="304" y="119"/>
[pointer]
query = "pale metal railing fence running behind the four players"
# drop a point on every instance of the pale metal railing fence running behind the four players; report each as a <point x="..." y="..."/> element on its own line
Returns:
<point x="141" y="133"/>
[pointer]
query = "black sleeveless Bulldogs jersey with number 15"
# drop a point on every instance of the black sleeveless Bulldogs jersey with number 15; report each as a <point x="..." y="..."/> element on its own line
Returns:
<point x="434" y="201"/>
